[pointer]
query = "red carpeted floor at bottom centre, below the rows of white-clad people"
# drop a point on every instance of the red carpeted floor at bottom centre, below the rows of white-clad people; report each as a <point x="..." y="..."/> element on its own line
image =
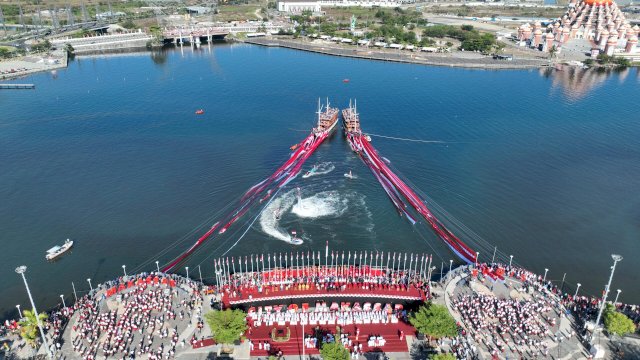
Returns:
<point x="294" y="346"/>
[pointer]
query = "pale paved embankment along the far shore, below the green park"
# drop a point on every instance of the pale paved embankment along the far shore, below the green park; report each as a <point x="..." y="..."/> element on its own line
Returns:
<point x="418" y="58"/>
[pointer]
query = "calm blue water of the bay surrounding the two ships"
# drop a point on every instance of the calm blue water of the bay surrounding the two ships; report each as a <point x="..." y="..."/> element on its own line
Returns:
<point x="545" y="166"/>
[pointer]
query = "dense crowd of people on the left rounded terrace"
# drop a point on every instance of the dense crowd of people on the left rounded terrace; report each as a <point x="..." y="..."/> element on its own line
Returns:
<point x="148" y="313"/>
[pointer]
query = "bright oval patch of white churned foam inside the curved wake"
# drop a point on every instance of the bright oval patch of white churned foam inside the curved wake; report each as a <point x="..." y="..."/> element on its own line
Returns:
<point x="326" y="203"/>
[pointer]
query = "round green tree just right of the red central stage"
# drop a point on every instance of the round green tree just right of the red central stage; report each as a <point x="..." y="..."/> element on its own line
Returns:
<point x="434" y="321"/>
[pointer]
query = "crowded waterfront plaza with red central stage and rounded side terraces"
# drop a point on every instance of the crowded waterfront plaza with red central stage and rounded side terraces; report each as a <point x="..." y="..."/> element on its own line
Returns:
<point x="502" y="312"/>
